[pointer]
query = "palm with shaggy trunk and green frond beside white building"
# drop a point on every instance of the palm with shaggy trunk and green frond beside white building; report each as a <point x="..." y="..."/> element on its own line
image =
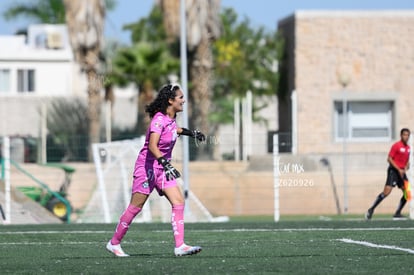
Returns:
<point x="85" y="20"/>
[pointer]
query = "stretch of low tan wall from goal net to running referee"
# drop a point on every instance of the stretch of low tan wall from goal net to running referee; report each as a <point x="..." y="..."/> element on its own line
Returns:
<point x="308" y="193"/>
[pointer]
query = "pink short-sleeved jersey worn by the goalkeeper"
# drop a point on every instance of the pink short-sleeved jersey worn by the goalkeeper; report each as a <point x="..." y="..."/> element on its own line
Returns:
<point x="167" y="128"/>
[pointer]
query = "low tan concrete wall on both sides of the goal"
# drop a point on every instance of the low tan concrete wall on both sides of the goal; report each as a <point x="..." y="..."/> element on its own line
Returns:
<point x="229" y="188"/>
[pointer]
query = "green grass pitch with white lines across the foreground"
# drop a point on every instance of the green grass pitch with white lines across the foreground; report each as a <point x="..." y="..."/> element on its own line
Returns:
<point x="236" y="247"/>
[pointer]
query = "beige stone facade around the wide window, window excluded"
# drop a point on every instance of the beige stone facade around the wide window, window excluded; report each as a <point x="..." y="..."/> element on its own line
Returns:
<point x="373" y="49"/>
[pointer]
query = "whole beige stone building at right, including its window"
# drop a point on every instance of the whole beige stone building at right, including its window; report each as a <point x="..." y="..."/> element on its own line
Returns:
<point x="359" y="59"/>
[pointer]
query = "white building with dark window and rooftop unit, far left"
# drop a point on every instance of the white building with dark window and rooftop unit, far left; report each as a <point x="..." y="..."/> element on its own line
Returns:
<point x="38" y="68"/>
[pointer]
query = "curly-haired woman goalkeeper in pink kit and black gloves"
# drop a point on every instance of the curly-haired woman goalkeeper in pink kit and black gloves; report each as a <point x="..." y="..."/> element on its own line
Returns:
<point x="154" y="170"/>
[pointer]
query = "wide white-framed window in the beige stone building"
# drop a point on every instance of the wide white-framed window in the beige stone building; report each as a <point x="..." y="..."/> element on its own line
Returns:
<point x="364" y="120"/>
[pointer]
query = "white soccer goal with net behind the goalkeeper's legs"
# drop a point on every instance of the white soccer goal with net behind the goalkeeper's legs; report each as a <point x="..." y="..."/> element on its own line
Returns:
<point x="114" y="162"/>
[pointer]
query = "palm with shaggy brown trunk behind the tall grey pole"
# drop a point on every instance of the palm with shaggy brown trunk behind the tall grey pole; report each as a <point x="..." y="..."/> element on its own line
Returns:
<point x="203" y="27"/>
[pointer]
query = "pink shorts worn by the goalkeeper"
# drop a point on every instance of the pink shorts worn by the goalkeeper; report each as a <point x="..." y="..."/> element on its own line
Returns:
<point x="145" y="180"/>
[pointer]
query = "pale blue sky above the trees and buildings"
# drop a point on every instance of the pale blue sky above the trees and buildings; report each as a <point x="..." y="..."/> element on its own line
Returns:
<point x="264" y="13"/>
